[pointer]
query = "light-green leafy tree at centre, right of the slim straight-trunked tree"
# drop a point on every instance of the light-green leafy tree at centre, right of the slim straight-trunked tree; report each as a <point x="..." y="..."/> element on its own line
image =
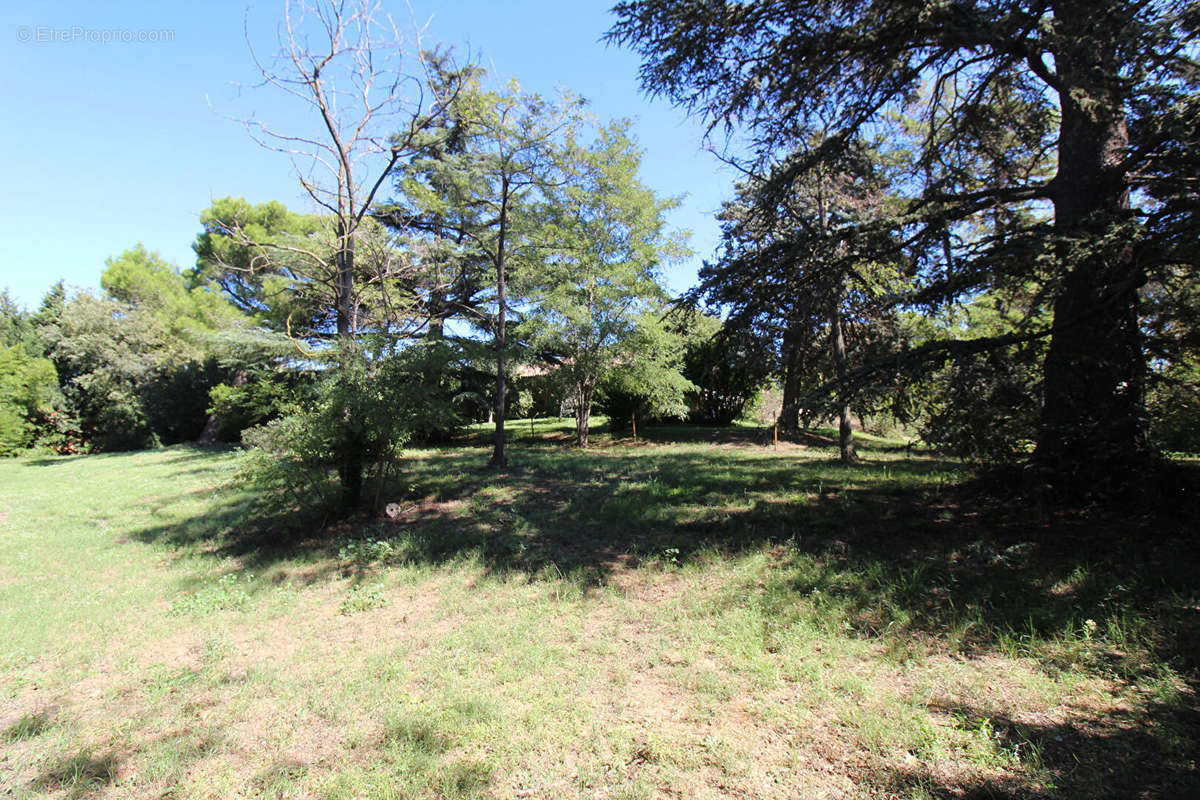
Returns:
<point x="590" y="302"/>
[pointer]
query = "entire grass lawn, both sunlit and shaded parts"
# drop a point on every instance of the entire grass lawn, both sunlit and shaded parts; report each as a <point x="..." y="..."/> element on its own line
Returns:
<point x="697" y="616"/>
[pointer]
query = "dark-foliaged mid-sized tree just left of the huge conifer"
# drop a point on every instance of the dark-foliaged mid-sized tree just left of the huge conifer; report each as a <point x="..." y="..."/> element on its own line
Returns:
<point x="799" y="267"/>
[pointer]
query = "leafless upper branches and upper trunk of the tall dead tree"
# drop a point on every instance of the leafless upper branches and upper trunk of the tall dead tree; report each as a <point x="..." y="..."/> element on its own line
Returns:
<point x="371" y="98"/>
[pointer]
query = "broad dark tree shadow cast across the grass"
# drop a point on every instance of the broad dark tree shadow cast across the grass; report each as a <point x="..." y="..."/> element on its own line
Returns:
<point x="898" y="550"/>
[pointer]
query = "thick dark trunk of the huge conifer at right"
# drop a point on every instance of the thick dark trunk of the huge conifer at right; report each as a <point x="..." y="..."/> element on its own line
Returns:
<point x="1093" y="426"/>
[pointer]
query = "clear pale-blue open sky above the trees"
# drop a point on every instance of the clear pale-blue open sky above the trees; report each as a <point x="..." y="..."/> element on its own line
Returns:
<point x="113" y="143"/>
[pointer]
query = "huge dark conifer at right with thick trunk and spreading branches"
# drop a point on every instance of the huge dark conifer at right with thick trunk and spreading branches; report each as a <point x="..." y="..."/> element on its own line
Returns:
<point x="1107" y="88"/>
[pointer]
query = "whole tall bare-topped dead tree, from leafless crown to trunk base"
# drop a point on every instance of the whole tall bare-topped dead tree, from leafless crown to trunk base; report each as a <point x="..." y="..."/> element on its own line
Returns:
<point x="347" y="64"/>
